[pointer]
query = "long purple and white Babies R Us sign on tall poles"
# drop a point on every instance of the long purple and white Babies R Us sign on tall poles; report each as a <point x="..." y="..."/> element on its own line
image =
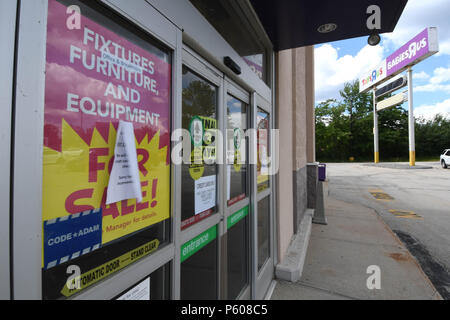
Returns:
<point x="420" y="47"/>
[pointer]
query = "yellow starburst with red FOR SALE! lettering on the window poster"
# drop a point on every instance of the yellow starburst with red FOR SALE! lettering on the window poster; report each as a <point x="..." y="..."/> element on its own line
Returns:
<point x="76" y="180"/>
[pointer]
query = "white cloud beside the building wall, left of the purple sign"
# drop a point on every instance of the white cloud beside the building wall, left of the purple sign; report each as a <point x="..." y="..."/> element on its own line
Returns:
<point x="332" y="71"/>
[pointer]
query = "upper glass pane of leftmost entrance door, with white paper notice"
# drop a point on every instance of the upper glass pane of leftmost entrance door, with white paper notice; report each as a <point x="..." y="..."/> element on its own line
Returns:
<point x="199" y="178"/>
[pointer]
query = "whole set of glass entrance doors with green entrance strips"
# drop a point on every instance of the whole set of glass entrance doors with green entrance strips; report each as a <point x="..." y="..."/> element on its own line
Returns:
<point x="226" y="217"/>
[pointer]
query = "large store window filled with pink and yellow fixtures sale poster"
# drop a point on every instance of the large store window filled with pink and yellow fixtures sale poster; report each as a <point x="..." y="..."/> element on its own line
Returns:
<point x="105" y="72"/>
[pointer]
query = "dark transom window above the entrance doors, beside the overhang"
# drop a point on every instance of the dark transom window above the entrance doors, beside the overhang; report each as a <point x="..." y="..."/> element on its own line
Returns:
<point x="228" y="18"/>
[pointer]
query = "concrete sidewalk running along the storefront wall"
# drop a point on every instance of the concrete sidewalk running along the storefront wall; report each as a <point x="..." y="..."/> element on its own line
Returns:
<point x="340" y="253"/>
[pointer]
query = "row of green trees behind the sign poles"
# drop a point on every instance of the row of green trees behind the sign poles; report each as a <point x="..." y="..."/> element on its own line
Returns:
<point x="344" y="128"/>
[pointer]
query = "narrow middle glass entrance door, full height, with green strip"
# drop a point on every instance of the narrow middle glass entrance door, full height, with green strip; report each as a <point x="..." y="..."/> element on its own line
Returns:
<point x="237" y="180"/>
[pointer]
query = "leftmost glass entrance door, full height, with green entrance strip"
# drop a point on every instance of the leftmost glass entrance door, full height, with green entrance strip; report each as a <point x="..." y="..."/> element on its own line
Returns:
<point x="199" y="269"/>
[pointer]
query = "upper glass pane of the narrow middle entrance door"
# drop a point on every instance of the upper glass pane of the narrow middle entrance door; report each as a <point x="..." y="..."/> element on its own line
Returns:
<point x="237" y="150"/>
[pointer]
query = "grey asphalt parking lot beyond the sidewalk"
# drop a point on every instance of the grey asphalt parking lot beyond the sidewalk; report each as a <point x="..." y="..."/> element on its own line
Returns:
<point x="415" y="204"/>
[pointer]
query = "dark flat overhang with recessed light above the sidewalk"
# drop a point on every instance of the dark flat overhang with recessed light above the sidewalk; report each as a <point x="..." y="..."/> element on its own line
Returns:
<point x="296" y="23"/>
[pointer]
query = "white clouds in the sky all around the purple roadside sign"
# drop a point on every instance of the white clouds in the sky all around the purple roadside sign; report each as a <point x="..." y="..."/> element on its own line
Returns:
<point x="332" y="71"/>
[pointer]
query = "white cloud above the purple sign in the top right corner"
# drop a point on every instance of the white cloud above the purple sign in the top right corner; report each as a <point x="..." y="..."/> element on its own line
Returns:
<point x="418" y="15"/>
